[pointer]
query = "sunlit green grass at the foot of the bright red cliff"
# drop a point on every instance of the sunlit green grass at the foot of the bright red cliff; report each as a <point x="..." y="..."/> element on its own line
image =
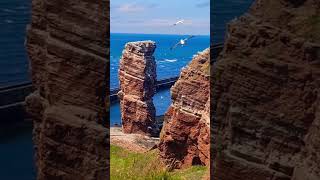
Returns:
<point x="126" y="165"/>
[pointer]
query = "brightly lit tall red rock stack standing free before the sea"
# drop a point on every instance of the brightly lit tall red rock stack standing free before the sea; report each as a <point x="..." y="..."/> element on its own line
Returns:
<point x="137" y="75"/>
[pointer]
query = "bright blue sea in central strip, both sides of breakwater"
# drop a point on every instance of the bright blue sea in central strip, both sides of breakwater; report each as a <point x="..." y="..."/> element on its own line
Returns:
<point x="169" y="62"/>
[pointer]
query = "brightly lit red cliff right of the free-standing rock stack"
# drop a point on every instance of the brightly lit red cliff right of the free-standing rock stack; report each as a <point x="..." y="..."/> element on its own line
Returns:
<point x="185" y="136"/>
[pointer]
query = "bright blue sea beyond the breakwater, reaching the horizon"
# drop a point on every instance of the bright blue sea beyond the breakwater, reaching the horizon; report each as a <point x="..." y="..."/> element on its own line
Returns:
<point x="169" y="62"/>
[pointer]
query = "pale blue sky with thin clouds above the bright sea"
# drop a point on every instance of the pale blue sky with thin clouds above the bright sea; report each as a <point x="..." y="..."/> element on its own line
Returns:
<point x="157" y="16"/>
